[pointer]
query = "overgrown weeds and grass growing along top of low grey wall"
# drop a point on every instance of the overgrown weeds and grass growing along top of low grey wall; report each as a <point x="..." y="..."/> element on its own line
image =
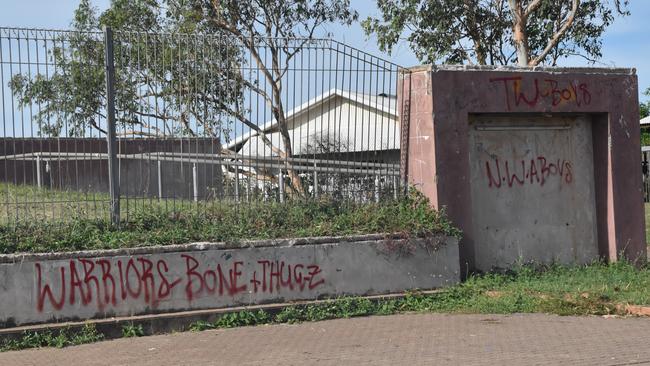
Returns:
<point x="411" y="215"/>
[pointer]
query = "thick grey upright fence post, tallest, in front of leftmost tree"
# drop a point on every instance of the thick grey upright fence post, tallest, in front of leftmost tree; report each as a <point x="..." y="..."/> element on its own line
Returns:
<point x="113" y="172"/>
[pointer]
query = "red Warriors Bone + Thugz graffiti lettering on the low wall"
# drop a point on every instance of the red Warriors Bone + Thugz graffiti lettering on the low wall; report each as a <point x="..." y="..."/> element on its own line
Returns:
<point x="103" y="282"/>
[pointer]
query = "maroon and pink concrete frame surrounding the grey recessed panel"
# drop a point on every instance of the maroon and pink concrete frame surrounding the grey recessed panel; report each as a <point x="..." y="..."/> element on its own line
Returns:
<point x="442" y="100"/>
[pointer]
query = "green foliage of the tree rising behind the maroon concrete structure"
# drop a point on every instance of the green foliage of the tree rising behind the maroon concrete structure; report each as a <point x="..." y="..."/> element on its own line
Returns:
<point x="480" y="31"/>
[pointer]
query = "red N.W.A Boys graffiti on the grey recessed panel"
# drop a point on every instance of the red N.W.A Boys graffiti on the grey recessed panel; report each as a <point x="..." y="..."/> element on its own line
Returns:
<point x="533" y="171"/>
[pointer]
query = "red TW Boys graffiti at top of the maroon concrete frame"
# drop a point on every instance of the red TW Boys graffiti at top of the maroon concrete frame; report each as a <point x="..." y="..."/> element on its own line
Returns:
<point x="545" y="90"/>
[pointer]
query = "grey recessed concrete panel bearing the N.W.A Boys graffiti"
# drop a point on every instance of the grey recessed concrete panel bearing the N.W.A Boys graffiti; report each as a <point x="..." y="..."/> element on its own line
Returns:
<point x="532" y="190"/>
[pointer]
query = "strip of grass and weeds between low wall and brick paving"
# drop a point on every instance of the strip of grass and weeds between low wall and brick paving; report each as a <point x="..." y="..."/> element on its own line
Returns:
<point x="596" y="289"/>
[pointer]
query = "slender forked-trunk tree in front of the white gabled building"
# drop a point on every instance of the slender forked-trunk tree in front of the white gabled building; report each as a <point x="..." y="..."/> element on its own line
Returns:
<point x="282" y="29"/>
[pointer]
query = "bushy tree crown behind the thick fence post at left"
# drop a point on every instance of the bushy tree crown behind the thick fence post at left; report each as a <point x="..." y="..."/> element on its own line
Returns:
<point x="166" y="83"/>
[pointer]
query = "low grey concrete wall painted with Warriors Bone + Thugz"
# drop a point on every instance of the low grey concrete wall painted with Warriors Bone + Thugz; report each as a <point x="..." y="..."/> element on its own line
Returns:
<point x="38" y="288"/>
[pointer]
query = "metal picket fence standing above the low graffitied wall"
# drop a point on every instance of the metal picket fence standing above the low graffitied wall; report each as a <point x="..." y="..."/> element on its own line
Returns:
<point x="104" y="123"/>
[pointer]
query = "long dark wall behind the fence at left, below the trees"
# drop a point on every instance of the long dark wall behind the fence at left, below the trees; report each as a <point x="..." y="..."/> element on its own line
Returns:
<point x="138" y="177"/>
